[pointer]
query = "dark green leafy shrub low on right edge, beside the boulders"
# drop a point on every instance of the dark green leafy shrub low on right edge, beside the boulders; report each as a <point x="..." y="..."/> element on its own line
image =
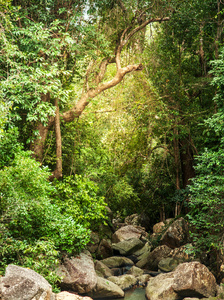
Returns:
<point x="207" y="202"/>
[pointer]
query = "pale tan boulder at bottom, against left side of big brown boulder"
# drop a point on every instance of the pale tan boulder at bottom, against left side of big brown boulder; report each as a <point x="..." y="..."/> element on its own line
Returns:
<point x="161" y="287"/>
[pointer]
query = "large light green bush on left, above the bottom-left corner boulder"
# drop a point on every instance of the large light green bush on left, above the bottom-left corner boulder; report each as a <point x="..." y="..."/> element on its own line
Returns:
<point x="33" y="230"/>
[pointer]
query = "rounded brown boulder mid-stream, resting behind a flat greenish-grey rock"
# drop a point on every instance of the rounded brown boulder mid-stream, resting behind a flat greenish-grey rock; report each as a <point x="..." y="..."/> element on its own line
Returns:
<point x="128" y="232"/>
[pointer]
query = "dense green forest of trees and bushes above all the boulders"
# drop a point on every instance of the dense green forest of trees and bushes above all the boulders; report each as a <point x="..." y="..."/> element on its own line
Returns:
<point x="114" y="103"/>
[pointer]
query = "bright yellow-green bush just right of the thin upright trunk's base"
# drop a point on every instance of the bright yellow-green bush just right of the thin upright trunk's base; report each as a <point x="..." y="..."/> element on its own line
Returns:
<point x="77" y="197"/>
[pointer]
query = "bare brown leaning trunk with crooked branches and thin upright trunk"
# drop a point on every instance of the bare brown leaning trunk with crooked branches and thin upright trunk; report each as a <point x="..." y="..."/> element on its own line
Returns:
<point x="88" y="94"/>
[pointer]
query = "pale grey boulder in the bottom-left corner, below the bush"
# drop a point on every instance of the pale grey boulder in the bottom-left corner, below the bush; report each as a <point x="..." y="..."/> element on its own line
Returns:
<point x="24" y="284"/>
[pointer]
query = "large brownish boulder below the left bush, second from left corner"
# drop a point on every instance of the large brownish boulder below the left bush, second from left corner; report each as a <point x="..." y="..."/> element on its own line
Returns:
<point x="78" y="273"/>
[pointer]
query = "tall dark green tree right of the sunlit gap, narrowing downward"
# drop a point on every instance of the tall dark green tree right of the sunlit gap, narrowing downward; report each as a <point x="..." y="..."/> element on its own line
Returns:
<point x="178" y="65"/>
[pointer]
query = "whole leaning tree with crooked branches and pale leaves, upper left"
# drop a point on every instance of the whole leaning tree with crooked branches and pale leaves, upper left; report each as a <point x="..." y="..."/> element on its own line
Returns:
<point x="65" y="48"/>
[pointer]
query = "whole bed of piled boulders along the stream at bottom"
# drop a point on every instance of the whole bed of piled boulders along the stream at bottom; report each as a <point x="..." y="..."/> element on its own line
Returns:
<point x="126" y="259"/>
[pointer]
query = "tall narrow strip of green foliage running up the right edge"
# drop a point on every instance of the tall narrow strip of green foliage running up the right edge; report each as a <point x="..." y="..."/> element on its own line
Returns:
<point x="207" y="189"/>
